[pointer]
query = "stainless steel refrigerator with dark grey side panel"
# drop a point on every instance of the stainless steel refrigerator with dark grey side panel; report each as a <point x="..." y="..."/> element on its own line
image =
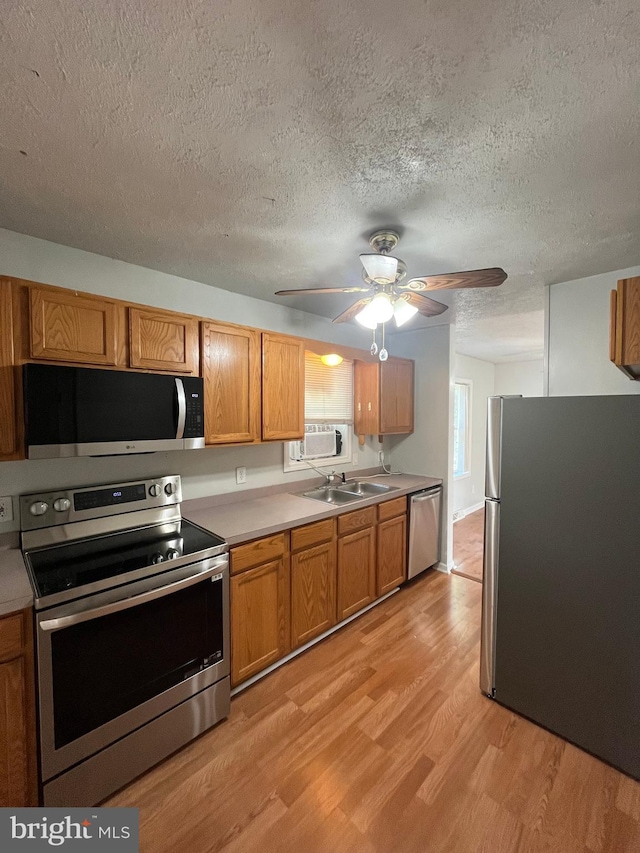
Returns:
<point x="561" y="594"/>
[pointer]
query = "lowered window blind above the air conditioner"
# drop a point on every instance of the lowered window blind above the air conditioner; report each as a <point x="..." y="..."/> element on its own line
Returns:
<point x="328" y="391"/>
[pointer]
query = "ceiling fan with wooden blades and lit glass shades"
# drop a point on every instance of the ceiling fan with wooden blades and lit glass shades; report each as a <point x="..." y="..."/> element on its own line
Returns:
<point x="388" y="295"/>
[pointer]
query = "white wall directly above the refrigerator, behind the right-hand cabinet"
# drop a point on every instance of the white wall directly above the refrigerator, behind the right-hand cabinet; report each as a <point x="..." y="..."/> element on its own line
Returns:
<point x="578" y="337"/>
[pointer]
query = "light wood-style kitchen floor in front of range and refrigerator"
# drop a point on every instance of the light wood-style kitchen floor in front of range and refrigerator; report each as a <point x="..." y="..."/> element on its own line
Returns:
<point x="378" y="740"/>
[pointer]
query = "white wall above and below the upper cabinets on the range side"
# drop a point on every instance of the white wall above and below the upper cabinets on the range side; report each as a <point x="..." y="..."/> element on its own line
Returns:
<point x="204" y="472"/>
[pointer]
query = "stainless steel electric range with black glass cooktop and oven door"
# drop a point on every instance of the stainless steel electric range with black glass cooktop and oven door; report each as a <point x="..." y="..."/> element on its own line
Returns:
<point x="132" y="632"/>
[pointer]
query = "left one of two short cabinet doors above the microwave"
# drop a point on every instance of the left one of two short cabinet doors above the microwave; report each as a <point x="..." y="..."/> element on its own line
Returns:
<point x="65" y="326"/>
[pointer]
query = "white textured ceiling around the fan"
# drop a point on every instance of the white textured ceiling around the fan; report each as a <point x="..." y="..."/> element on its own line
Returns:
<point x="254" y="144"/>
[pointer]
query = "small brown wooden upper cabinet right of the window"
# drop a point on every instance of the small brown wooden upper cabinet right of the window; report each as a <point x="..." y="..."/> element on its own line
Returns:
<point x="383" y="397"/>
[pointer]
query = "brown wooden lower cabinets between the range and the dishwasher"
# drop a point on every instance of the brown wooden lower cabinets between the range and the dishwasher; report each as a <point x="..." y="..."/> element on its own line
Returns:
<point x="289" y="588"/>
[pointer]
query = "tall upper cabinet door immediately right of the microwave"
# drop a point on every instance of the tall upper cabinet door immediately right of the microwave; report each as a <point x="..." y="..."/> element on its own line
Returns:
<point x="231" y="373"/>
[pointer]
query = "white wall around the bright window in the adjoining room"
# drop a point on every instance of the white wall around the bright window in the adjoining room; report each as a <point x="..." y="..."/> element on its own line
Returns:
<point x="468" y="491"/>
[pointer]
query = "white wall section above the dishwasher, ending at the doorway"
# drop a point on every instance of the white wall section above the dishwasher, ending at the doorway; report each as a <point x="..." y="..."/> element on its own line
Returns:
<point x="429" y="449"/>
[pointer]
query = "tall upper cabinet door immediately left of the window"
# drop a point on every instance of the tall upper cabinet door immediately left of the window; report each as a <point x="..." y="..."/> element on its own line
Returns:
<point x="282" y="388"/>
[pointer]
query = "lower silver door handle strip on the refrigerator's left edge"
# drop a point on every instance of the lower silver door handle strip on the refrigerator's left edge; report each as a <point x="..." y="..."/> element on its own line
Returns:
<point x="489" y="597"/>
